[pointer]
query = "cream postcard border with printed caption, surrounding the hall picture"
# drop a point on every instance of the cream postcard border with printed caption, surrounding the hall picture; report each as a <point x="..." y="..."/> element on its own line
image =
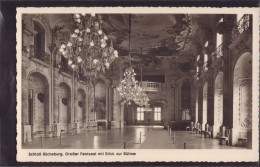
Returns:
<point x="194" y="155"/>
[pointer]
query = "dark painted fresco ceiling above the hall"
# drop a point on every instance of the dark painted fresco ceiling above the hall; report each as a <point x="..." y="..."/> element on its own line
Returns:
<point x="179" y="37"/>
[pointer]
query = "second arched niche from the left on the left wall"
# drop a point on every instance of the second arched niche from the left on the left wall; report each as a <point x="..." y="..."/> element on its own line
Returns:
<point x="64" y="106"/>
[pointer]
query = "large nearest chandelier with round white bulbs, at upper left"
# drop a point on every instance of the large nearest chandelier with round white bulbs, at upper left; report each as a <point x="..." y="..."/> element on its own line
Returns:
<point x="87" y="47"/>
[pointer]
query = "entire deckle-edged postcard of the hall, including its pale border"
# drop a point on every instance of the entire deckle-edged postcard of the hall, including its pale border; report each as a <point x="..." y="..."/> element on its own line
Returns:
<point x="126" y="84"/>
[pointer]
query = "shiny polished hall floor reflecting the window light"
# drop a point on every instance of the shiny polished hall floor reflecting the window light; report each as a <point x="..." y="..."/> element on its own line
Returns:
<point x="151" y="137"/>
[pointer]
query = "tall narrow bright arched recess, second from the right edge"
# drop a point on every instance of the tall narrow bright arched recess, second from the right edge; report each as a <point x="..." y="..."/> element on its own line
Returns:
<point x="218" y="103"/>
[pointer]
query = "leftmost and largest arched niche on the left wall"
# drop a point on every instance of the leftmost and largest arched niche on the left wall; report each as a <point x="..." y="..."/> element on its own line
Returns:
<point x="38" y="102"/>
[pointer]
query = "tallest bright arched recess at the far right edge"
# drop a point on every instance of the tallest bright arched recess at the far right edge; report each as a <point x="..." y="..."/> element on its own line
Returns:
<point x="242" y="96"/>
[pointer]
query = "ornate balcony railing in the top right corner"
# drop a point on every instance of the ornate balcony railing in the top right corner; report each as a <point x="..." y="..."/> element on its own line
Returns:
<point x="242" y="25"/>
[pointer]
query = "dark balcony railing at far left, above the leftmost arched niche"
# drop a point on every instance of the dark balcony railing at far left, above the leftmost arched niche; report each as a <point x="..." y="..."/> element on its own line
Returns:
<point x="39" y="54"/>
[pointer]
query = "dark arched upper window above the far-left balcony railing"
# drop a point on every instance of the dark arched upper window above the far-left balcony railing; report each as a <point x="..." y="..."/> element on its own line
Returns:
<point x="39" y="38"/>
